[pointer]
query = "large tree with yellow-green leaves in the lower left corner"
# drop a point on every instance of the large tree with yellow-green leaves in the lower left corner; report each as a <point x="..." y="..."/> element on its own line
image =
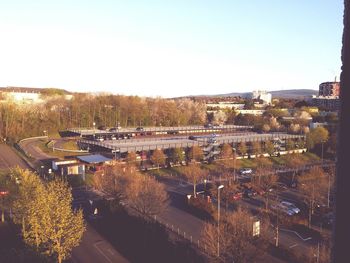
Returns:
<point x="44" y="212"/>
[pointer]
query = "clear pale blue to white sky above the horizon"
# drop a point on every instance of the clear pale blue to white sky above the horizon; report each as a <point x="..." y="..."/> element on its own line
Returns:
<point x="170" y="48"/>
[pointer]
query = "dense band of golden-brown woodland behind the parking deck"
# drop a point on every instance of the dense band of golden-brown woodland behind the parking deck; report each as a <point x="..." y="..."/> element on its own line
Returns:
<point x="85" y="109"/>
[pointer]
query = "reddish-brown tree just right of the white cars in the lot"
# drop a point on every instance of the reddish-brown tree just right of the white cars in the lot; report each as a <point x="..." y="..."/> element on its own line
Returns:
<point x="314" y="186"/>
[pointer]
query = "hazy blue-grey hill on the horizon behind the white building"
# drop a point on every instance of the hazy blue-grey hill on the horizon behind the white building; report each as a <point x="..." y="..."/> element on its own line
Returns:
<point x="285" y="94"/>
